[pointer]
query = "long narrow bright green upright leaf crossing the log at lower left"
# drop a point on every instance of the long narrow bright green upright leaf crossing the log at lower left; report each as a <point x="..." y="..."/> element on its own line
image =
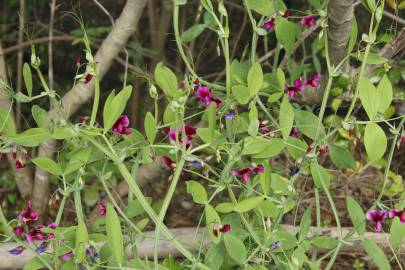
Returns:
<point x="114" y="234"/>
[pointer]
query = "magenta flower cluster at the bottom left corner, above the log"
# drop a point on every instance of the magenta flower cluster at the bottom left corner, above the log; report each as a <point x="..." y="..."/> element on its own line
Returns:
<point x="31" y="232"/>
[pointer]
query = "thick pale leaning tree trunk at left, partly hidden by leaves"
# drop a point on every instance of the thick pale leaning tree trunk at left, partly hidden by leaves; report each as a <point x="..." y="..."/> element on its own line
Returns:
<point x="81" y="93"/>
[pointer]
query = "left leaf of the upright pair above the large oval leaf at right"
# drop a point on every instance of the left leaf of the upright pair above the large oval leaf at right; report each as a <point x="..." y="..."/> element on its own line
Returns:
<point x="369" y="97"/>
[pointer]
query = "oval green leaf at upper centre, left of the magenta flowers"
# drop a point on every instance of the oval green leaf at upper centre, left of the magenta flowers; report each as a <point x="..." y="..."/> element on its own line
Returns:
<point x="166" y="80"/>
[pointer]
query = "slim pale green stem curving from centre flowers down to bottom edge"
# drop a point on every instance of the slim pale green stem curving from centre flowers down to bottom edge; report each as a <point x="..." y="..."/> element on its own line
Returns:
<point x="165" y="206"/>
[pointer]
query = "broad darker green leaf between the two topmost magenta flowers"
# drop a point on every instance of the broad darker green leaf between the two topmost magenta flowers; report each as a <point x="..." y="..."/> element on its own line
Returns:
<point x="286" y="33"/>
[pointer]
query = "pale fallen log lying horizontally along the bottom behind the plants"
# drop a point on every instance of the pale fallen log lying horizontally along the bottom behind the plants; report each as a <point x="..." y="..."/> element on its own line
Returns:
<point x="195" y="239"/>
